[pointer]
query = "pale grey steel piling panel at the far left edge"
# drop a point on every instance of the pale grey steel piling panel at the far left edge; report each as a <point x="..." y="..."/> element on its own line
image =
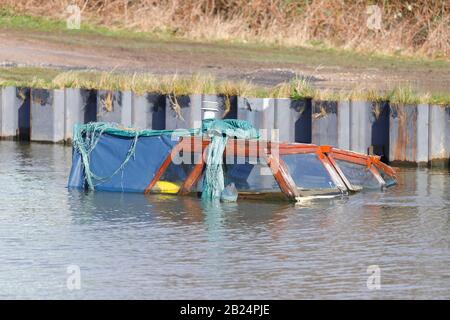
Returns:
<point x="9" y="120"/>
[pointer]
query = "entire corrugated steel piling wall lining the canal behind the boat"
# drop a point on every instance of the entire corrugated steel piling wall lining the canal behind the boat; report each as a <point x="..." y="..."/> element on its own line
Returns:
<point x="416" y="134"/>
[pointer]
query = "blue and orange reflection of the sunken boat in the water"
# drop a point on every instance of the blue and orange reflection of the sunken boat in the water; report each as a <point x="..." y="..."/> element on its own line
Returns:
<point x="88" y="207"/>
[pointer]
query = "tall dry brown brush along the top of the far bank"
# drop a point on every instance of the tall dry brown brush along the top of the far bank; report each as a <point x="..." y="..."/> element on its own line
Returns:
<point x="413" y="28"/>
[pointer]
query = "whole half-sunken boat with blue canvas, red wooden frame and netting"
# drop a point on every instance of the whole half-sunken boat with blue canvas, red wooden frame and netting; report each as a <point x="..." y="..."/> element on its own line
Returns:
<point x="223" y="159"/>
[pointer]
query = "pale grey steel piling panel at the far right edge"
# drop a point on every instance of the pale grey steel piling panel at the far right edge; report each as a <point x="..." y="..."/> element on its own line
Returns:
<point x="439" y="136"/>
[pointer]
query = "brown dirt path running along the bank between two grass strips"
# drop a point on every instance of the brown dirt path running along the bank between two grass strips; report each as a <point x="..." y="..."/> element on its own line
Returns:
<point x="262" y="65"/>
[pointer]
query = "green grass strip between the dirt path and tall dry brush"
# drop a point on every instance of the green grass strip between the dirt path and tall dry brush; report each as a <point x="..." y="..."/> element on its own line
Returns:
<point x="97" y="35"/>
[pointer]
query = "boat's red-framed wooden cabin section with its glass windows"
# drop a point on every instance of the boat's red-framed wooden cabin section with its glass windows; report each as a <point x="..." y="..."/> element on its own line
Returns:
<point x="264" y="168"/>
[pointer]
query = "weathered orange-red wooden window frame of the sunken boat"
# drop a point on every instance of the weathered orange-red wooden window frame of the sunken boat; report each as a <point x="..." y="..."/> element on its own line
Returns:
<point x="261" y="149"/>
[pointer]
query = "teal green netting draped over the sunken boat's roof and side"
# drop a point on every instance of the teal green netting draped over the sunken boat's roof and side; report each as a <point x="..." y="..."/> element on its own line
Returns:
<point x="86" y="137"/>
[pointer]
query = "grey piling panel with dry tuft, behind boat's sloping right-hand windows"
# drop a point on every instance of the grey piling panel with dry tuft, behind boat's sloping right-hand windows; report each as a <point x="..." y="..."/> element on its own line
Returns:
<point x="324" y="125"/>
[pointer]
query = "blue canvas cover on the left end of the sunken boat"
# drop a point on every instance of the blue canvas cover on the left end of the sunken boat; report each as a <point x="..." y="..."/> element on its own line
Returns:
<point x="111" y="151"/>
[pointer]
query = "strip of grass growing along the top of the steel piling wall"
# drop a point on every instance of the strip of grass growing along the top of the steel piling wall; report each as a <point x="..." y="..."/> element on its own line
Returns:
<point x="140" y="83"/>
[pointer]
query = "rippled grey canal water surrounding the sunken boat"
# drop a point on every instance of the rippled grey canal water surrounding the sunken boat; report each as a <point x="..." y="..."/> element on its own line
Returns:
<point x="60" y="243"/>
